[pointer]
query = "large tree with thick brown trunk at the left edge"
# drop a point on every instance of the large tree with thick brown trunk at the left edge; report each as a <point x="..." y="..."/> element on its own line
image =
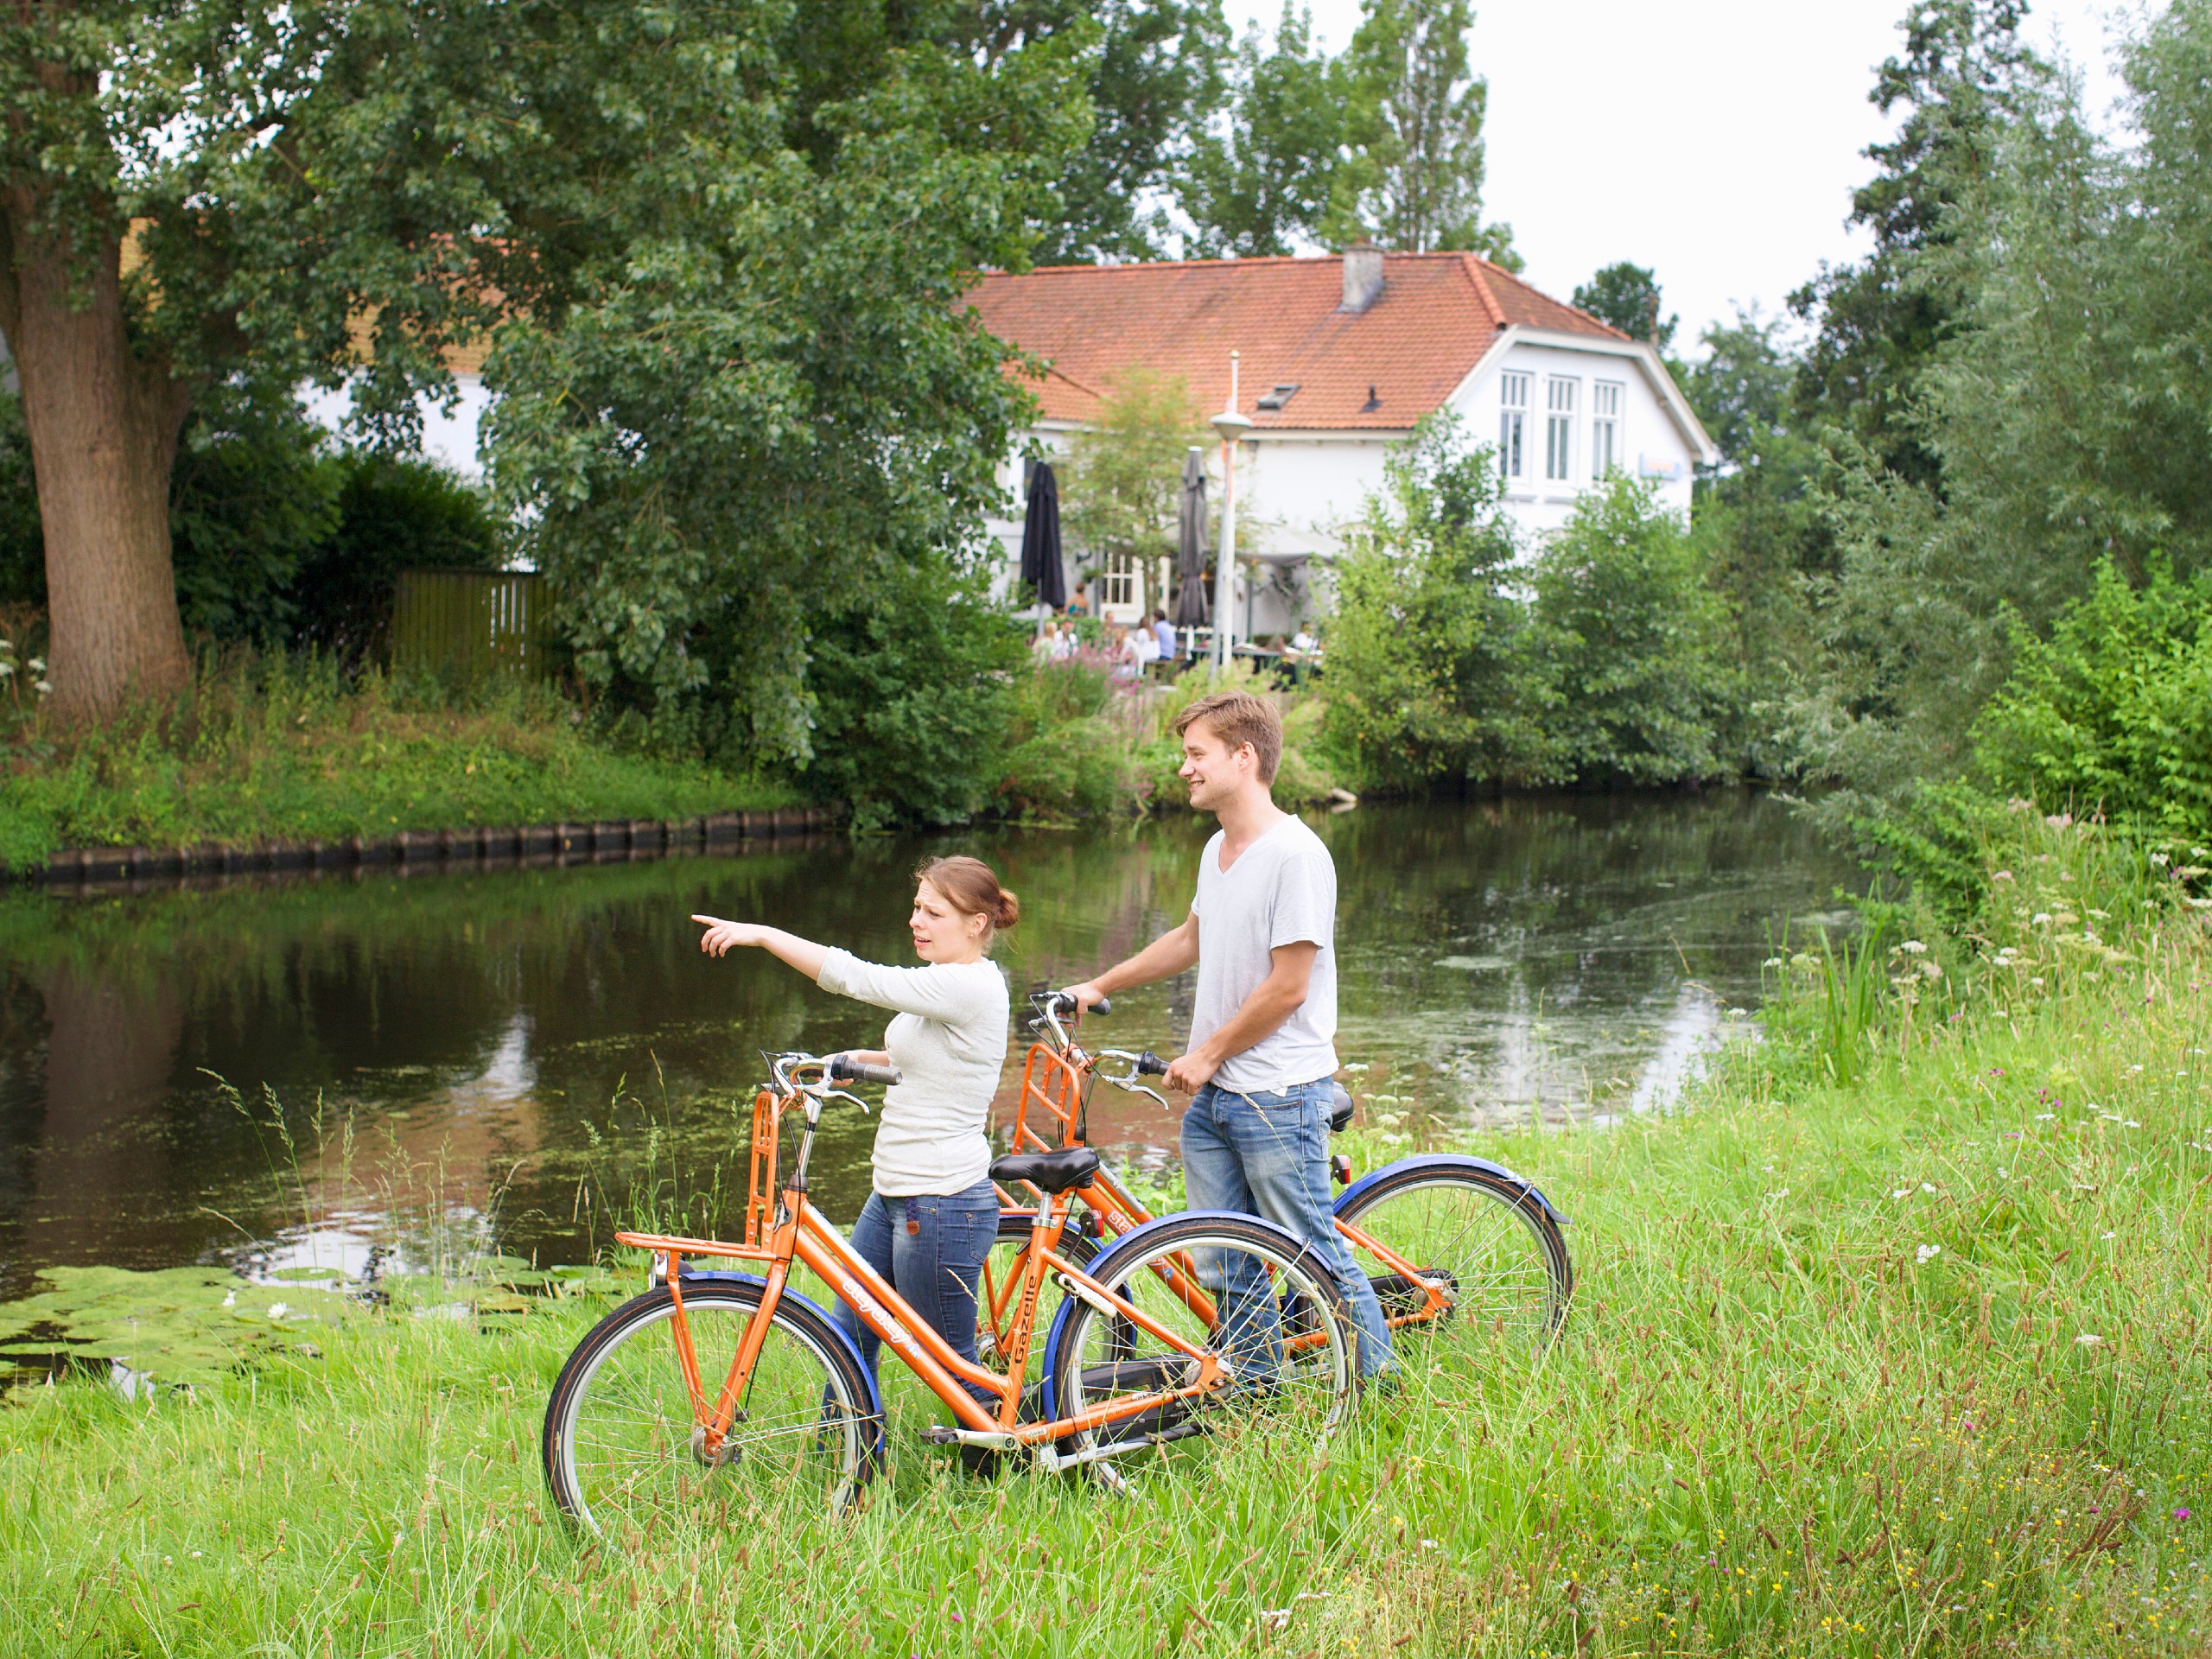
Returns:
<point x="187" y="185"/>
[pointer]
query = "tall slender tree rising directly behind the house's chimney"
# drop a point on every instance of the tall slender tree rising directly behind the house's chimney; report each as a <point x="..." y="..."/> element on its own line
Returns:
<point x="1417" y="118"/>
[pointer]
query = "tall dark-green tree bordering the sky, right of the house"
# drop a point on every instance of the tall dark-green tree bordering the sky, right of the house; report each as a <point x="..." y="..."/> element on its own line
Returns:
<point x="1879" y="320"/>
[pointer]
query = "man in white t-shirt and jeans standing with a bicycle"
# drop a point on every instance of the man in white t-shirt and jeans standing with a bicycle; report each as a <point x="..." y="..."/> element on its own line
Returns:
<point x="1262" y="1047"/>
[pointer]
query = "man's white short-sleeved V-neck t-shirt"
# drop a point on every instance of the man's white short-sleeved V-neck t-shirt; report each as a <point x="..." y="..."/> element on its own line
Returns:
<point x="1282" y="890"/>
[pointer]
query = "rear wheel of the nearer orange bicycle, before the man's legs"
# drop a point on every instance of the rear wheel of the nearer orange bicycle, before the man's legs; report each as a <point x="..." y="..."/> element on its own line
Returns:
<point x="1240" y="1288"/>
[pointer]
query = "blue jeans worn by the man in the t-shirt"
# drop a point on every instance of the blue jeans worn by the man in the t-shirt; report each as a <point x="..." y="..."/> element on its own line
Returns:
<point x="1269" y="1154"/>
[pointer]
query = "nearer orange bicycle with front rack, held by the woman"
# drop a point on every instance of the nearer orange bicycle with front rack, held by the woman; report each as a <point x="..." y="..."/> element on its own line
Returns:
<point x="722" y="1392"/>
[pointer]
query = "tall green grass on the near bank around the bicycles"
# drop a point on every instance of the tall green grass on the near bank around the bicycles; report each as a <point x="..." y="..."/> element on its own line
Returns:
<point x="1892" y="1357"/>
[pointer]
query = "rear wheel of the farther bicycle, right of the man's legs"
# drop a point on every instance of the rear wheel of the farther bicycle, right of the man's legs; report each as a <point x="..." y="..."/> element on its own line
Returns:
<point x="1492" y="1273"/>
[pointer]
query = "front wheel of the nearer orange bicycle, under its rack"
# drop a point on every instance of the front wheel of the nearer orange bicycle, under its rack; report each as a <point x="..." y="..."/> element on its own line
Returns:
<point x="627" y="1457"/>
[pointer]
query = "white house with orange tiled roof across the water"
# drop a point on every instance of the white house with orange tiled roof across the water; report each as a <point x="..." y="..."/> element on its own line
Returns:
<point x="1337" y="359"/>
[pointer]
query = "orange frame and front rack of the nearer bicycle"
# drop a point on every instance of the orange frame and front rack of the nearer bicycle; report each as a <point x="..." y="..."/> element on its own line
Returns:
<point x="800" y="1233"/>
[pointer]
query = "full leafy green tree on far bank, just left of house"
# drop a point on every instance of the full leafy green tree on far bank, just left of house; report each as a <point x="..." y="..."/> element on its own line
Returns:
<point x="773" y="408"/>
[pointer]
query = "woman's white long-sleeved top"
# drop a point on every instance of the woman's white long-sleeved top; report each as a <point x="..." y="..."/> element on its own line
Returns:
<point x="950" y="1043"/>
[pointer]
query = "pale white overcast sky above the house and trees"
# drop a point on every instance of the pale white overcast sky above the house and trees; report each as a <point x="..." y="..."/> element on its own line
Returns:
<point x="1713" y="140"/>
